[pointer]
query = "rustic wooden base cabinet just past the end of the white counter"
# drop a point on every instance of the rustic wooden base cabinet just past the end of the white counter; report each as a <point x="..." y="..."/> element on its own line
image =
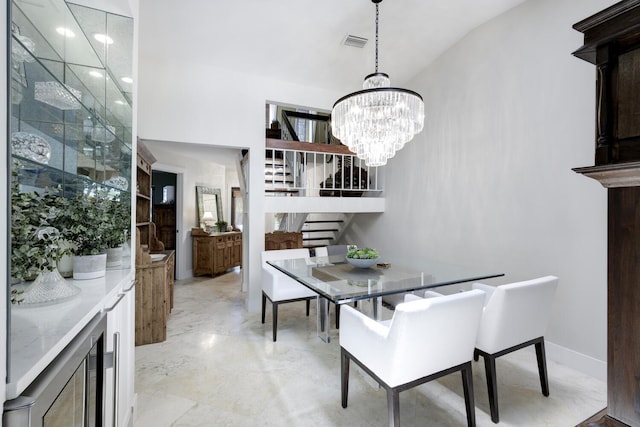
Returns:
<point x="154" y="298"/>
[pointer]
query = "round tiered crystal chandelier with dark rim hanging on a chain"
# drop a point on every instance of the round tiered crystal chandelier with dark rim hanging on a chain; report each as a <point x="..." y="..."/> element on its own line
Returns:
<point x="378" y="120"/>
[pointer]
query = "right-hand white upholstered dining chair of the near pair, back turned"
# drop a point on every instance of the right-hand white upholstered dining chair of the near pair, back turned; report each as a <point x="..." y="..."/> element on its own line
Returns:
<point x="515" y="316"/>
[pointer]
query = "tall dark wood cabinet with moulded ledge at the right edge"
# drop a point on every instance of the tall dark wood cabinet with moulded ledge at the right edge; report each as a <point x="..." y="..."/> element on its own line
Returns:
<point x="612" y="44"/>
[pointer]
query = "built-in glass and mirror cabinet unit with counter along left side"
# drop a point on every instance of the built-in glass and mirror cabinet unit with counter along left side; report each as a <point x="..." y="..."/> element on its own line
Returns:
<point x="70" y="141"/>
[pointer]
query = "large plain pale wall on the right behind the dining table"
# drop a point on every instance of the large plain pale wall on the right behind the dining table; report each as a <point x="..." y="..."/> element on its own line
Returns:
<point x="509" y="112"/>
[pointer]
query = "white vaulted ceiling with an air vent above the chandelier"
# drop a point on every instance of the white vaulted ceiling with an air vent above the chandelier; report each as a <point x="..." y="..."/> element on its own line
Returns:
<point x="301" y="40"/>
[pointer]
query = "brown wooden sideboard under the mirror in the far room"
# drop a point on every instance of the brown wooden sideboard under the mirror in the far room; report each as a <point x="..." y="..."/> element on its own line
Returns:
<point x="215" y="253"/>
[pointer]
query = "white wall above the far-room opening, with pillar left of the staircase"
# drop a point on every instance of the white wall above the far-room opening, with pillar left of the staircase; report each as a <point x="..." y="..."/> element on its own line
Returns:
<point x="190" y="103"/>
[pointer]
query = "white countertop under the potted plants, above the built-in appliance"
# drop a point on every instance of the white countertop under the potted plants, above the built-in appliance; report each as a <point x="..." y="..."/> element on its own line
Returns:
<point x="39" y="334"/>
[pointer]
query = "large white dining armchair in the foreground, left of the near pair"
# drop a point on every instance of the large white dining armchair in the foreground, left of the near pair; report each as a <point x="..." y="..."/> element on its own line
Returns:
<point x="425" y="339"/>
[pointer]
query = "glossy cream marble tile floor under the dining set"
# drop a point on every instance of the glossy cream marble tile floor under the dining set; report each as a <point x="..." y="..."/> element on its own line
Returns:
<point x="219" y="367"/>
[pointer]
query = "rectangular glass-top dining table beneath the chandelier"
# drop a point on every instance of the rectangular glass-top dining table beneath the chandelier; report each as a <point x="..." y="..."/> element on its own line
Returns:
<point x="336" y="281"/>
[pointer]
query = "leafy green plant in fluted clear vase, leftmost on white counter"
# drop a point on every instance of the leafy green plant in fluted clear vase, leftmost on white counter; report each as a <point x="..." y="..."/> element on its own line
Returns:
<point x="36" y="247"/>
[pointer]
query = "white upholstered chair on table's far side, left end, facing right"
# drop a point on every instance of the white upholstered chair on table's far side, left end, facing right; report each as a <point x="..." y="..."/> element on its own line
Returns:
<point x="280" y="288"/>
